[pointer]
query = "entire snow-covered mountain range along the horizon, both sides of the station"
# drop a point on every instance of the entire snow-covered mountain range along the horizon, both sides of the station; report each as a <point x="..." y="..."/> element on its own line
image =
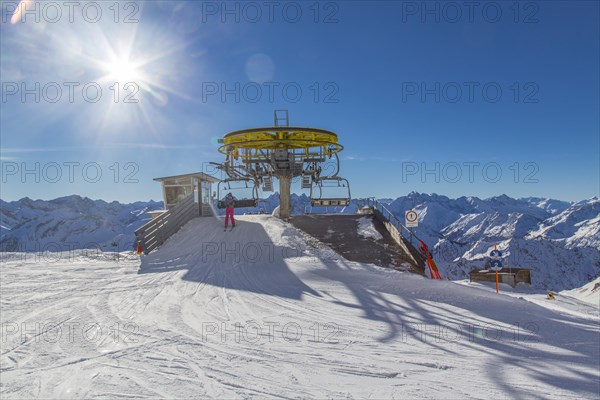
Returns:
<point x="559" y="241"/>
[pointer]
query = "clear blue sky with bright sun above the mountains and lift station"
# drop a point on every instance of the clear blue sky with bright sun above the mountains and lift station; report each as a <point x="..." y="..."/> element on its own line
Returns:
<point x="434" y="97"/>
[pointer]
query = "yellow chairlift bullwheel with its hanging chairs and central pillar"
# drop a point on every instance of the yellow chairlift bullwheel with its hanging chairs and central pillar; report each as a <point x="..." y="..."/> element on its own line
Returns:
<point x="255" y="156"/>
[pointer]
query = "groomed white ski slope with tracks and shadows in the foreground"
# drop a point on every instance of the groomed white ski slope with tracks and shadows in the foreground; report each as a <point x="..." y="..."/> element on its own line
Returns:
<point x="265" y="311"/>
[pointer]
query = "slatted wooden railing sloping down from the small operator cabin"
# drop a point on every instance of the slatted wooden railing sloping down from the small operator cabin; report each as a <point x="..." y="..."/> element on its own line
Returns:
<point x="157" y="231"/>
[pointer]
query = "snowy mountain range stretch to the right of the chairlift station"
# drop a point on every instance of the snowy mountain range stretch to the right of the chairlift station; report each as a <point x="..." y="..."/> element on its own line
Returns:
<point x="559" y="241"/>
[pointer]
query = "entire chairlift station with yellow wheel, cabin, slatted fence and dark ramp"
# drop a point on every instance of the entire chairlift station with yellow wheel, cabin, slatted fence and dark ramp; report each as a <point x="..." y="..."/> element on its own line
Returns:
<point x="255" y="159"/>
